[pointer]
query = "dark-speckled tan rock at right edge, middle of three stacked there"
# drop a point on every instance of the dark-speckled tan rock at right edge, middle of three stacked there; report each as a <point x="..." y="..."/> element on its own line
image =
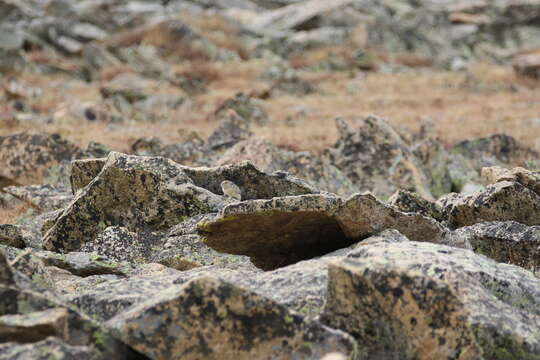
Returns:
<point x="498" y="202"/>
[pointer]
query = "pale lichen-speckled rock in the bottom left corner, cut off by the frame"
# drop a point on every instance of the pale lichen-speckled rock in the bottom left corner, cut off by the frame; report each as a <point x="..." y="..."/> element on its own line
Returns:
<point x="49" y="348"/>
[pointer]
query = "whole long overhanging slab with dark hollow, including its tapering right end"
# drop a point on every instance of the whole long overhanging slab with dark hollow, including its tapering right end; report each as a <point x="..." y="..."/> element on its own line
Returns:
<point x="282" y="231"/>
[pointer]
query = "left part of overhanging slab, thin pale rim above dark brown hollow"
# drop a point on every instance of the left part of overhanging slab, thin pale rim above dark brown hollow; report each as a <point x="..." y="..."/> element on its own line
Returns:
<point x="277" y="232"/>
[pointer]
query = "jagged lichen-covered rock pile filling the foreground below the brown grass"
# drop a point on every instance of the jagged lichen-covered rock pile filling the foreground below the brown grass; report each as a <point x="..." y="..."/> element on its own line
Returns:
<point x="145" y="258"/>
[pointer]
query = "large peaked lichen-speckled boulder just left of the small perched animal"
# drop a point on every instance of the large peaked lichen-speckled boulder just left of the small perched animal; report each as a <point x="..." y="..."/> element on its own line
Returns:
<point x="150" y="193"/>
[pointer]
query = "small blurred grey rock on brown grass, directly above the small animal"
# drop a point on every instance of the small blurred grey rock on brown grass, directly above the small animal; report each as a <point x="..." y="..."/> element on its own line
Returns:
<point x="246" y="107"/>
